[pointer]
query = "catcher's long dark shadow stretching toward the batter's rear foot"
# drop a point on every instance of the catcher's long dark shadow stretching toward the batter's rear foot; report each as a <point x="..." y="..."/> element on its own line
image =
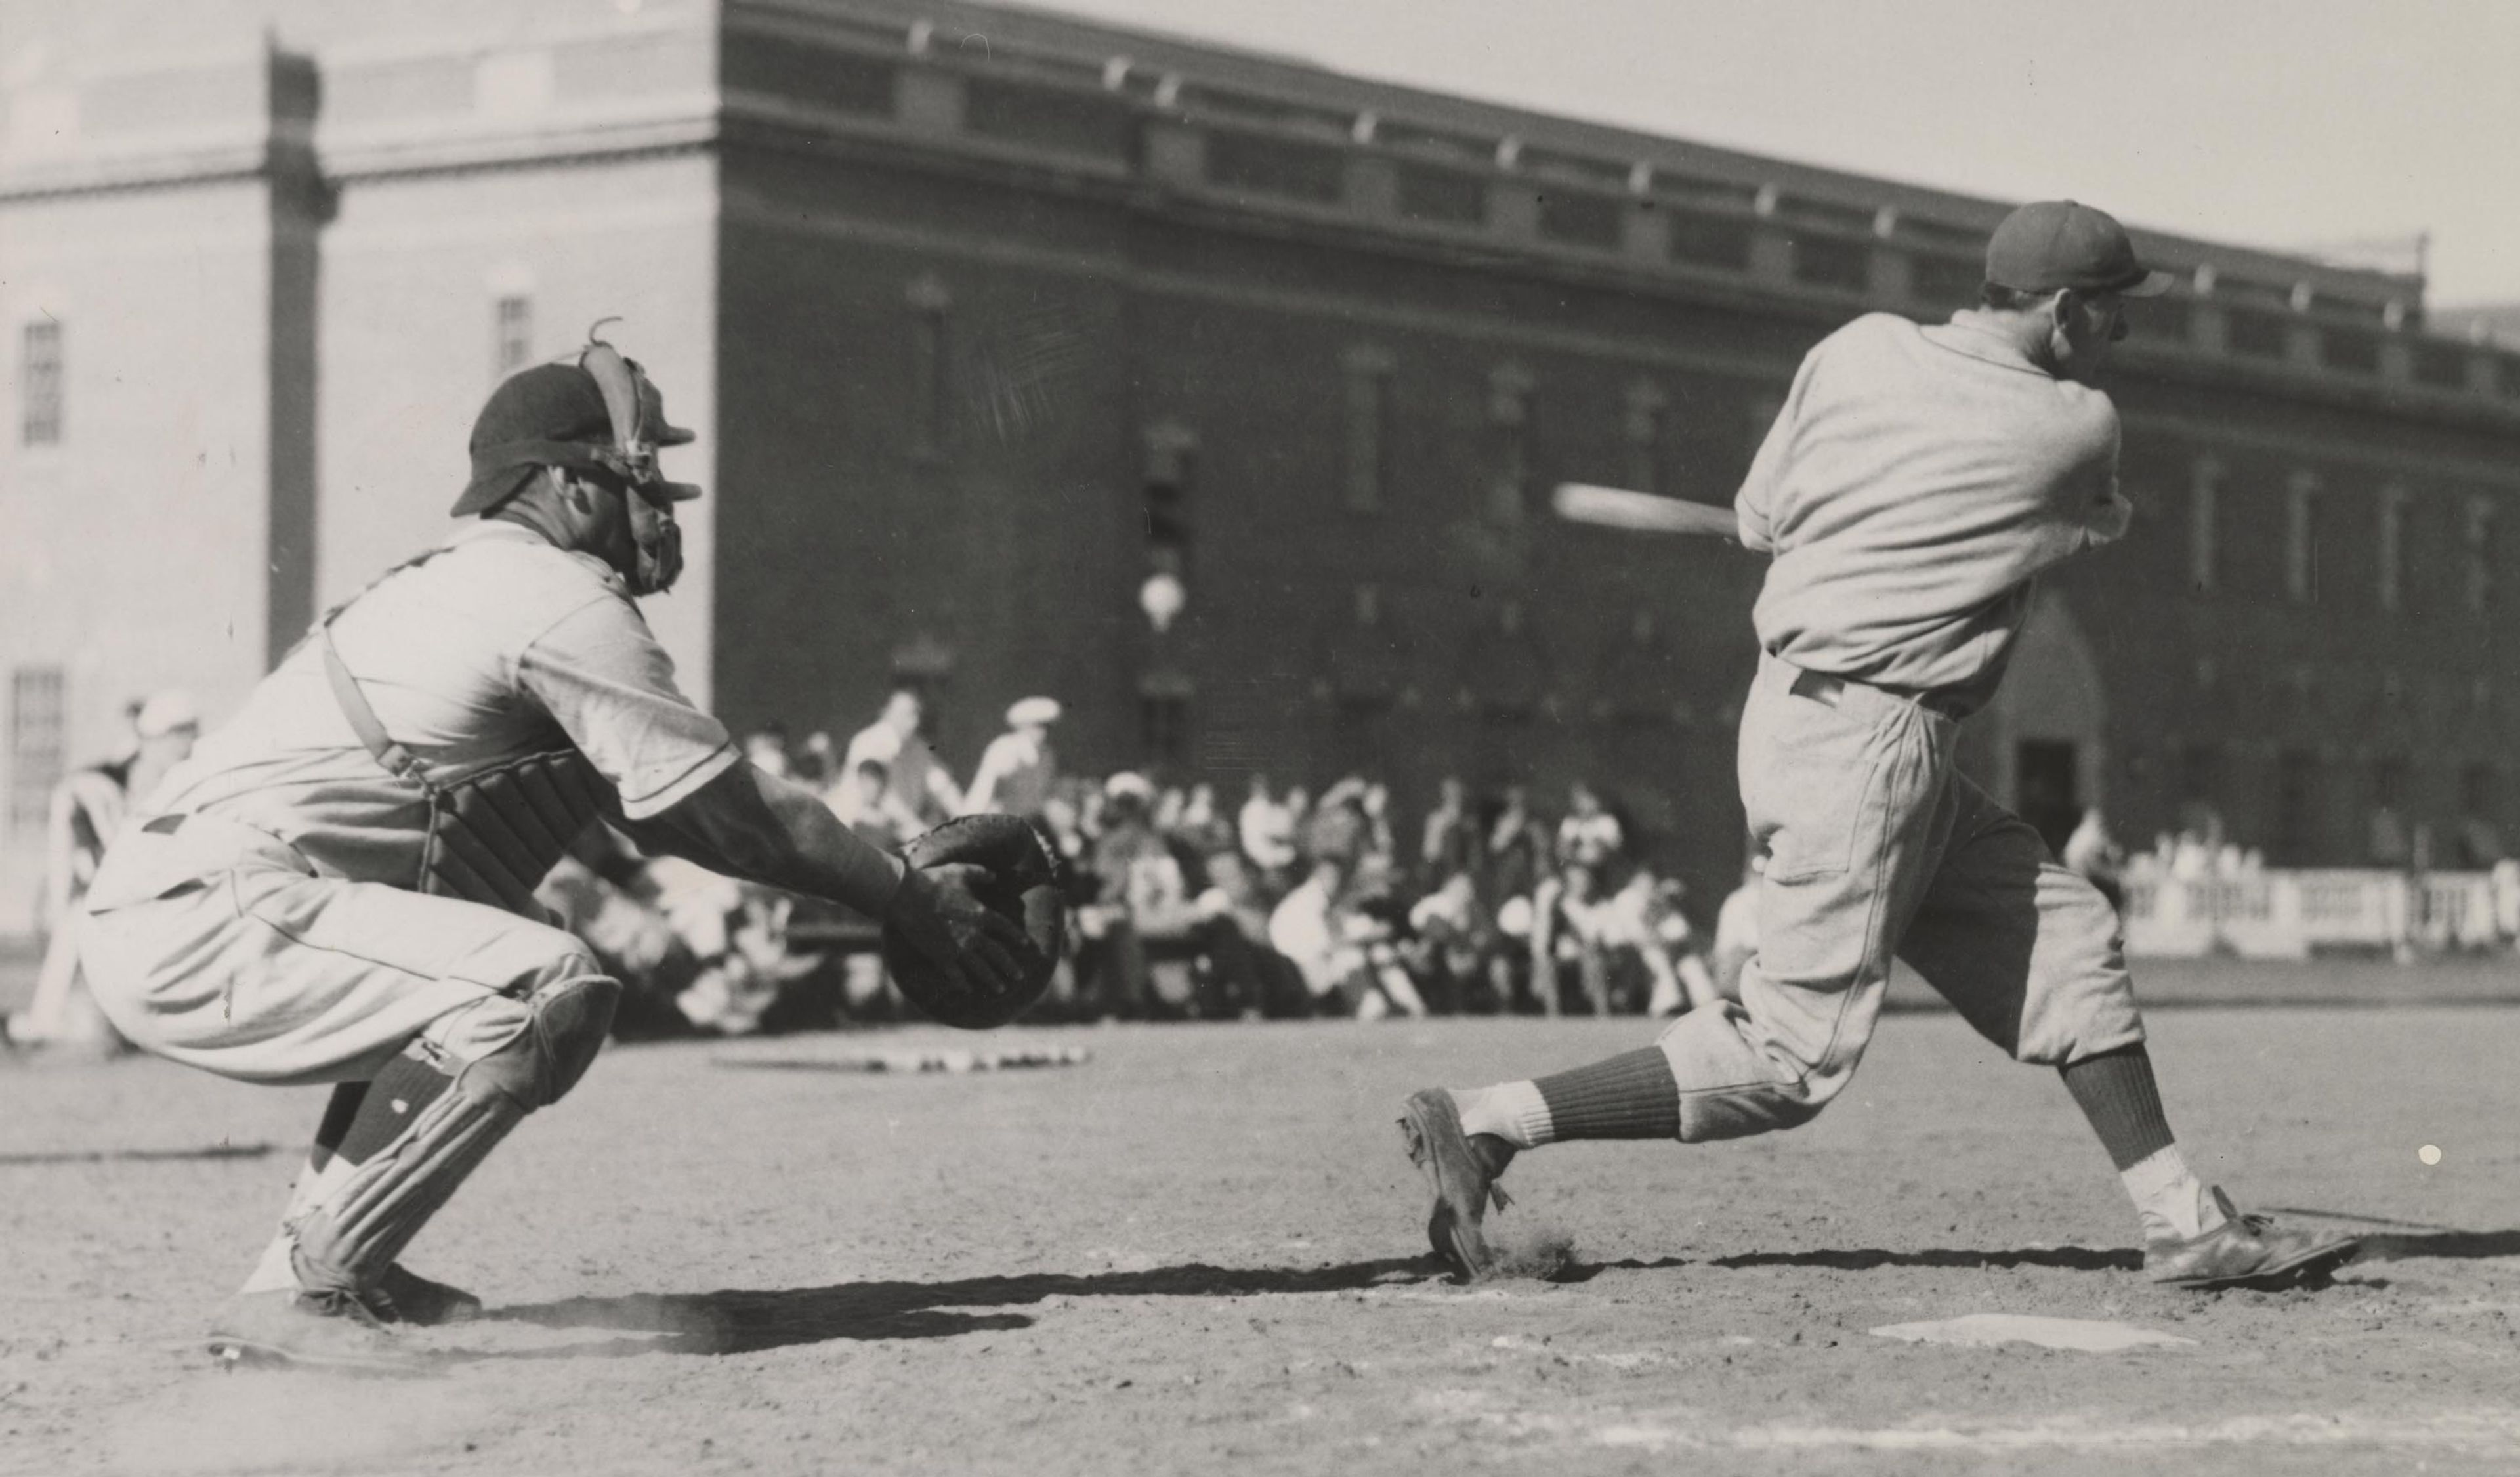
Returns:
<point x="742" y="1322"/>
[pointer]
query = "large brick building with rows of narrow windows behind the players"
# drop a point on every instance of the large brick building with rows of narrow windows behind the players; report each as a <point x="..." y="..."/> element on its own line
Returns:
<point x="992" y="316"/>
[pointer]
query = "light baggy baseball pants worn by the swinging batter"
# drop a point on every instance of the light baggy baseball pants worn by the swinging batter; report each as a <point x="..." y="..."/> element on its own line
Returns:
<point x="1876" y="851"/>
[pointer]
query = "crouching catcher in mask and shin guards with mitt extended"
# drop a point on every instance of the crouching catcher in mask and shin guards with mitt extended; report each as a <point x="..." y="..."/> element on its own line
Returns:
<point x="339" y="883"/>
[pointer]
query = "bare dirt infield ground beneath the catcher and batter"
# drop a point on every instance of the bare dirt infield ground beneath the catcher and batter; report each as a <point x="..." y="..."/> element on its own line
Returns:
<point x="1201" y="1251"/>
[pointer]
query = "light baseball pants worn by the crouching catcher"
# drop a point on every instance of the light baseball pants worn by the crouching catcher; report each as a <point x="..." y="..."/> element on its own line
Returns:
<point x="223" y="949"/>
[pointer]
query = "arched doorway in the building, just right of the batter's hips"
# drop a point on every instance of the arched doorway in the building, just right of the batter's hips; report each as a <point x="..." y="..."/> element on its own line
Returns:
<point x="2042" y="745"/>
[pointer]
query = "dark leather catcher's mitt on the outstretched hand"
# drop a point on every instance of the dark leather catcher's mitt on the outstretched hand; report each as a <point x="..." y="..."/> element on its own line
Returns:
<point x="1027" y="886"/>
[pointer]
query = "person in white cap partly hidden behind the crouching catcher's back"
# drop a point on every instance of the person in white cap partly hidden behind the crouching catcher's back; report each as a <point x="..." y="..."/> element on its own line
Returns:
<point x="87" y="813"/>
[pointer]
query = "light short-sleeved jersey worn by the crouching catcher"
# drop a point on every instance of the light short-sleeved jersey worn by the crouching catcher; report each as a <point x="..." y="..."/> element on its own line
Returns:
<point x="493" y="649"/>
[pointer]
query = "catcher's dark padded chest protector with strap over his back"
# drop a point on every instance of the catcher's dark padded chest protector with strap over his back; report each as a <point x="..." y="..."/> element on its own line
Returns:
<point x="493" y="836"/>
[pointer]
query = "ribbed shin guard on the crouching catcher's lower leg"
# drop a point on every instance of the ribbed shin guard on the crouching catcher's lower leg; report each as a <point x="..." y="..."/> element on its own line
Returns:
<point x="422" y="1133"/>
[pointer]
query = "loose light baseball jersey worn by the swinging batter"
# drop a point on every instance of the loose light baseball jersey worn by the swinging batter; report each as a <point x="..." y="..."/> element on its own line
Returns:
<point x="1911" y="490"/>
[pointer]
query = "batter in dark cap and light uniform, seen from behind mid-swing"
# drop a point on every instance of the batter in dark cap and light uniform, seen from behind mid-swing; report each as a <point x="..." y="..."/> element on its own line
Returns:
<point x="1914" y="488"/>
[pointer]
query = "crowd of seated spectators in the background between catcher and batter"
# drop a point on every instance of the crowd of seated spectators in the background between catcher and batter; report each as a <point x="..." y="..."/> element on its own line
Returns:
<point x="1186" y="906"/>
